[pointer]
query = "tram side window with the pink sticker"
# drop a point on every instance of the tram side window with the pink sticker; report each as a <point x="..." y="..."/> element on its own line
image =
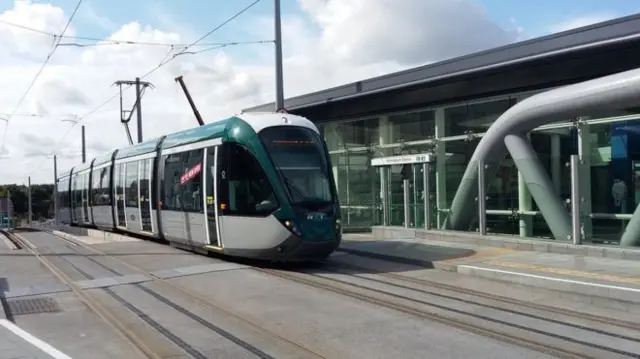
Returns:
<point x="182" y="182"/>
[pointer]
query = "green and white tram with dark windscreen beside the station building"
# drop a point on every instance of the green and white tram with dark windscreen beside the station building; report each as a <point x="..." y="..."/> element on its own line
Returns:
<point x="255" y="185"/>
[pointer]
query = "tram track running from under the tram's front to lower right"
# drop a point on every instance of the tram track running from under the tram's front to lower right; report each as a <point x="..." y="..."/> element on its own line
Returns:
<point x="443" y="311"/>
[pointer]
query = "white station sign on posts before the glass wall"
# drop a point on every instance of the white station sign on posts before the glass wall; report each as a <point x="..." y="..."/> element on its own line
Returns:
<point x="407" y="190"/>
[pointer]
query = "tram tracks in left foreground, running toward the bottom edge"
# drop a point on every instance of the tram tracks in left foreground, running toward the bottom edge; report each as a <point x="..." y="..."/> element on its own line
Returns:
<point x="136" y="340"/>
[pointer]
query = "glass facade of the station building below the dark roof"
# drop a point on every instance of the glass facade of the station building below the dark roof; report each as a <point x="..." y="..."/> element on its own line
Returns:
<point x="608" y="146"/>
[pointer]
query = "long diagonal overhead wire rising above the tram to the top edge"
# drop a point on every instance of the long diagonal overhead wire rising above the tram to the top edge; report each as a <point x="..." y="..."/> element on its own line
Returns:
<point x="165" y="60"/>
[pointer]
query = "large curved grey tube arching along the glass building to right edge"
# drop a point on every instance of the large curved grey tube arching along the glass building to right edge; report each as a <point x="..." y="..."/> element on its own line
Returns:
<point x="613" y="92"/>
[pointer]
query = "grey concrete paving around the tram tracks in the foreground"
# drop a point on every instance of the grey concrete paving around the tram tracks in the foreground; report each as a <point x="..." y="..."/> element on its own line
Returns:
<point x="247" y="313"/>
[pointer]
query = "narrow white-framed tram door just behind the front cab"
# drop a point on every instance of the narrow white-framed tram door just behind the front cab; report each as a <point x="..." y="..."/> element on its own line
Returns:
<point x="214" y="173"/>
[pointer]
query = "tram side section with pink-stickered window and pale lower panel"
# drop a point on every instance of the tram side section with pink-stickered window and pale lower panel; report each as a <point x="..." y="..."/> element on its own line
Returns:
<point x="180" y="181"/>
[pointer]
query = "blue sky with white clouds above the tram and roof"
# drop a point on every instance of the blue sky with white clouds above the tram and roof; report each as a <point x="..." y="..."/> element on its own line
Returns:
<point x="325" y="43"/>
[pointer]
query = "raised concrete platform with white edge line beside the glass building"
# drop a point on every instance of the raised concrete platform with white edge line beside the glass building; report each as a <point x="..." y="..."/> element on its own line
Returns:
<point x="585" y="274"/>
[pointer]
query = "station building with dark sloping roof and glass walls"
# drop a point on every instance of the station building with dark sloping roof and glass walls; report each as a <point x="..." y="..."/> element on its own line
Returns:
<point x="381" y="131"/>
